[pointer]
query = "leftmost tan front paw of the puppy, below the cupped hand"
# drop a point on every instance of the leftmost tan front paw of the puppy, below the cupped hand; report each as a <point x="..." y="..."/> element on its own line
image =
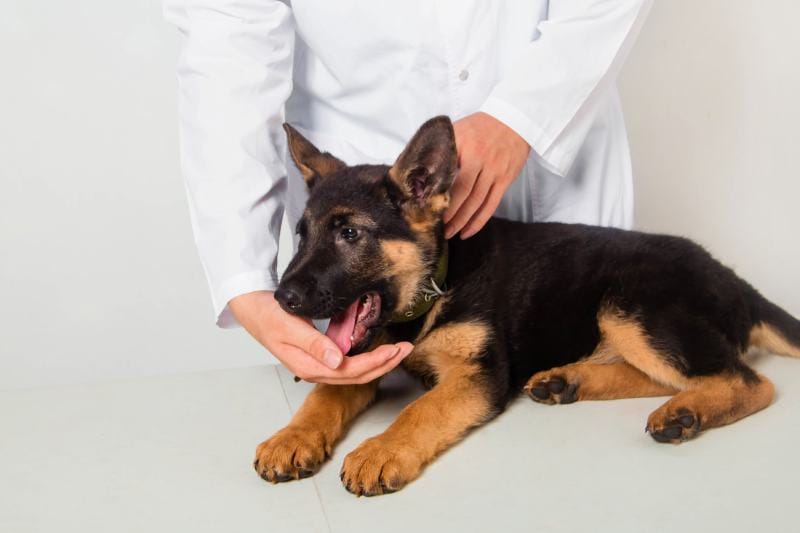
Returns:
<point x="292" y="453"/>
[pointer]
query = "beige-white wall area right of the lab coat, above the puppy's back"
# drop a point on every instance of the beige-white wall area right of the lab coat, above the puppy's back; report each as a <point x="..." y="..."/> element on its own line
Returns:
<point x="711" y="94"/>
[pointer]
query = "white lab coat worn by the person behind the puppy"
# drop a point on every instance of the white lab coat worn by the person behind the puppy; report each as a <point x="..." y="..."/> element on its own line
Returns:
<point x="358" y="78"/>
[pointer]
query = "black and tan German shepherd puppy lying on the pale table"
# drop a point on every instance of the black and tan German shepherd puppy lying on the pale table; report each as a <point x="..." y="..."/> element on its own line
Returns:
<point x="565" y="312"/>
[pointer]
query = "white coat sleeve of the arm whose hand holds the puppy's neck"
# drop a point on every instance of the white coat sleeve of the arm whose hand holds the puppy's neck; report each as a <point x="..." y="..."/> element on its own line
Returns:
<point x="556" y="83"/>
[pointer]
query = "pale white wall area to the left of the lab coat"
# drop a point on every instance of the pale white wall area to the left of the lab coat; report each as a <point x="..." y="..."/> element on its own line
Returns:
<point x="99" y="276"/>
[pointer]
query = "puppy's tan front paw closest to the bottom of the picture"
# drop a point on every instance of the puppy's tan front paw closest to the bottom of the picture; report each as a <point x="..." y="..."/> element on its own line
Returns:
<point x="379" y="467"/>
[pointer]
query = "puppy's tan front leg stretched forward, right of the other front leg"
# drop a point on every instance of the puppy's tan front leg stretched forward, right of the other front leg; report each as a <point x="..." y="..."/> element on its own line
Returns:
<point x="425" y="428"/>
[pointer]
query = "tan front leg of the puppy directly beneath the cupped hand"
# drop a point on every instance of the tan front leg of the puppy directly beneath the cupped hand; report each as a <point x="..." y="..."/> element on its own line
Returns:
<point x="298" y="450"/>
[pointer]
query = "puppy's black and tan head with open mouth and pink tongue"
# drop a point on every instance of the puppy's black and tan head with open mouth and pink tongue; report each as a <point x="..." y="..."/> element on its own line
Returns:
<point x="370" y="235"/>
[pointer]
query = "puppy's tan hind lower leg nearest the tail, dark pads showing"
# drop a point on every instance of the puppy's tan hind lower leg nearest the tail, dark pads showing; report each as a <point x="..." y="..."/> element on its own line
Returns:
<point x="710" y="402"/>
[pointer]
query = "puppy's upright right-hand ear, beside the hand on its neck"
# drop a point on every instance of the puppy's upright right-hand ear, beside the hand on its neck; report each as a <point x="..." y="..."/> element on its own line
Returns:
<point x="429" y="163"/>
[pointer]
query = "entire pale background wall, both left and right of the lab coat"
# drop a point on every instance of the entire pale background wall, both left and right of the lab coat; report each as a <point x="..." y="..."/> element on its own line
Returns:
<point x="98" y="273"/>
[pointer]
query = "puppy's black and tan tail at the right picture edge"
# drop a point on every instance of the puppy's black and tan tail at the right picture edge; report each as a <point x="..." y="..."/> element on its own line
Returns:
<point x="774" y="329"/>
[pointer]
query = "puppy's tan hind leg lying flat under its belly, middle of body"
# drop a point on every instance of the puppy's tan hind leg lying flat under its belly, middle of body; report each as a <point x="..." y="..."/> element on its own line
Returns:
<point x="593" y="381"/>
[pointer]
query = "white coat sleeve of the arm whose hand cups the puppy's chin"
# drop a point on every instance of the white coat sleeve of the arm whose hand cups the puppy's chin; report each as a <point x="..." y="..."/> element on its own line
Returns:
<point x="234" y="77"/>
